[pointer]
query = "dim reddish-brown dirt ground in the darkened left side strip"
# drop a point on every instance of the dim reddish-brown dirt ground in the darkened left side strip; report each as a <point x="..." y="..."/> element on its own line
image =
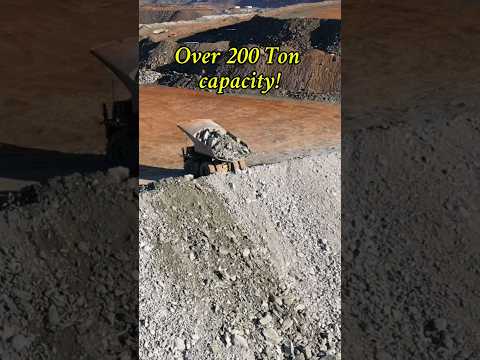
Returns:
<point x="52" y="88"/>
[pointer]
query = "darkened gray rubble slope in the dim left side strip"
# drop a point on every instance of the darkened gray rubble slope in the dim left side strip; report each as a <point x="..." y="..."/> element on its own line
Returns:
<point x="66" y="270"/>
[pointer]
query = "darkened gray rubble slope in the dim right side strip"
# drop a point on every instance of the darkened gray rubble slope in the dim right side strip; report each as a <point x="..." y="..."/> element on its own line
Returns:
<point x="410" y="239"/>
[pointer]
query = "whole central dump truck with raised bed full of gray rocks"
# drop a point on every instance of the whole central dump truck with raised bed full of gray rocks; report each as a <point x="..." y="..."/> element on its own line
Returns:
<point x="214" y="149"/>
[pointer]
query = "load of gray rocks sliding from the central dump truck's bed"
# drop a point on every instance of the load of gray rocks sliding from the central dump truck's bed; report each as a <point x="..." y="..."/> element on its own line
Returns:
<point x="223" y="145"/>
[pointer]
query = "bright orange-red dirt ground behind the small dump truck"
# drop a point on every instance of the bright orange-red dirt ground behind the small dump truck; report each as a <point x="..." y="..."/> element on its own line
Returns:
<point x="273" y="128"/>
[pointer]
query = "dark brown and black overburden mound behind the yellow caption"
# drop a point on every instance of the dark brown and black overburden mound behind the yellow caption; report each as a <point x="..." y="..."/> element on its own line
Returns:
<point x="316" y="77"/>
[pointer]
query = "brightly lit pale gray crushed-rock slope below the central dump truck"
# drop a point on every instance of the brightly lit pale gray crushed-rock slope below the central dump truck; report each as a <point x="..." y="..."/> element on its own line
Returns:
<point x="243" y="266"/>
